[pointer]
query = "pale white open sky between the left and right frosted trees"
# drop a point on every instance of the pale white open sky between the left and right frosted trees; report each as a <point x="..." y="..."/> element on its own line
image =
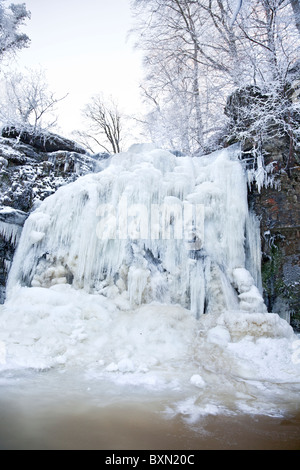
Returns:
<point x="83" y="46"/>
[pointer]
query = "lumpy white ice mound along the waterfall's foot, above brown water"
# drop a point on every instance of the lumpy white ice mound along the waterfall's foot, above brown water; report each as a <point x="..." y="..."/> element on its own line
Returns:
<point x="216" y="361"/>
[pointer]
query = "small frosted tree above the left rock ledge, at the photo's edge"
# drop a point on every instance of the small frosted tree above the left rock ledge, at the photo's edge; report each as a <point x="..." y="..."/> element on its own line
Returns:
<point x="27" y="103"/>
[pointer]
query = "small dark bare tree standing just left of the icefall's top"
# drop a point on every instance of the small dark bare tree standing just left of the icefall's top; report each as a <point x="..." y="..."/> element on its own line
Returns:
<point x="104" y="124"/>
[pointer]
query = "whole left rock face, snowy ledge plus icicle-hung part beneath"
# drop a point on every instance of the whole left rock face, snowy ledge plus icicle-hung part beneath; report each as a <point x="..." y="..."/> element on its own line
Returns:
<point x="32" y="168"/>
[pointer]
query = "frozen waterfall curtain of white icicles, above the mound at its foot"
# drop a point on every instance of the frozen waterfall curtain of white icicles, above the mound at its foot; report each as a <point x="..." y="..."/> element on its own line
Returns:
<point x="150" y="227"/>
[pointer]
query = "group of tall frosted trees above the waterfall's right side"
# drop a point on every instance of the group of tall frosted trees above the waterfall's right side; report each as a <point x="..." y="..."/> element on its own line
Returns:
<point x="203" y="50"/>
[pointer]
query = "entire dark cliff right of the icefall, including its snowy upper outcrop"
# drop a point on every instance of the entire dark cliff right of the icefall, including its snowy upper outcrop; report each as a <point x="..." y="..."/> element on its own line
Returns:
<point x="275" y="201"/>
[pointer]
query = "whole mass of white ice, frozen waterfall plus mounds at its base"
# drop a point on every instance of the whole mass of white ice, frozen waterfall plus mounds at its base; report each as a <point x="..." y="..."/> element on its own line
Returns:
<point x="151" y="312"/>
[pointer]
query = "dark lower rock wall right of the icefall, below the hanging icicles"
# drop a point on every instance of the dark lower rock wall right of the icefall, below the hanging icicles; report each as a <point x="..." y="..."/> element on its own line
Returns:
<point x="279" y="212"/>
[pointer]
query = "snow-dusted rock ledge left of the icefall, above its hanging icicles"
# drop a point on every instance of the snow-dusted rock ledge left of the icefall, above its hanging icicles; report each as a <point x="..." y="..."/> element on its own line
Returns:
<point x="30" y="172"/>
